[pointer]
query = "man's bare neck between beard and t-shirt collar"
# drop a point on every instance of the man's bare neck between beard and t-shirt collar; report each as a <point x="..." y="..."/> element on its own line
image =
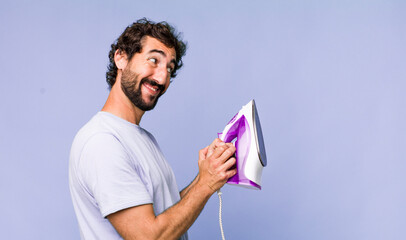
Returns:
<point x="119" y="105"/>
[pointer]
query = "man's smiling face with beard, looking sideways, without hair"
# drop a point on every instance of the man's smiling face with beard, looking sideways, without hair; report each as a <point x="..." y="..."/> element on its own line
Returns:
<point x="147" y="75"/>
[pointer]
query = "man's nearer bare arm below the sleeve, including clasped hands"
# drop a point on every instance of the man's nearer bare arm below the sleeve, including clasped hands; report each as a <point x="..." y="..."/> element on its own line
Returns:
<point x="140" y="222"/>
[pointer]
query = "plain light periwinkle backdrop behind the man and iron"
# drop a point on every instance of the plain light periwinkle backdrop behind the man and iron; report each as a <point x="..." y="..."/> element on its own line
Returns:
<point x="328" y="78"/>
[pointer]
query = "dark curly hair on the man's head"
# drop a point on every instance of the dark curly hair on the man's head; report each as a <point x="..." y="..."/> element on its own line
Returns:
<point x="130" y="43"/>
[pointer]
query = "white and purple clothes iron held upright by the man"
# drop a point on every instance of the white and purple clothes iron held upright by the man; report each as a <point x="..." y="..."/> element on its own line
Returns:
<point x="245" y="129"/>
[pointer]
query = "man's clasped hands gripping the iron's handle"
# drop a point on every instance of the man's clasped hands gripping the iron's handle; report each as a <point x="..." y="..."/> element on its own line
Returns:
<point x="215" y="163"/>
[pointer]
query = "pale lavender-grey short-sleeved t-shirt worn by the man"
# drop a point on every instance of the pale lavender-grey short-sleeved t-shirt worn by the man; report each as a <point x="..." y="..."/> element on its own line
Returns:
<point x="115" y="165"/>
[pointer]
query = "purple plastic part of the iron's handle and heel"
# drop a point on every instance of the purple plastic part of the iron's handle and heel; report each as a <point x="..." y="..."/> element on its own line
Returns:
<point x="240" y="130"/>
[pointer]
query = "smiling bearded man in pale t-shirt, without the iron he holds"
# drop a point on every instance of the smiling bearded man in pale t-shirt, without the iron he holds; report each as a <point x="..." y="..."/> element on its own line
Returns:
<point x="120" y="183"/>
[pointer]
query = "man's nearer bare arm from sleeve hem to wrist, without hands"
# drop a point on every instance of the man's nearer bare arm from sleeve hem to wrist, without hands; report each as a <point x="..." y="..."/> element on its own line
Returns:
<point x="141" y="223"/>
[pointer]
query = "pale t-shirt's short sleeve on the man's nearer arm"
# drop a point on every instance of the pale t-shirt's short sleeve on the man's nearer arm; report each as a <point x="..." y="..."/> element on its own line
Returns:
<point x="112" y="178"/>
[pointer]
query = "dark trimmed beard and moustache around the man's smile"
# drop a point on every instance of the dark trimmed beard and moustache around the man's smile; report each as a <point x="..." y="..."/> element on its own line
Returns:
<point x="131" y="86"/>
